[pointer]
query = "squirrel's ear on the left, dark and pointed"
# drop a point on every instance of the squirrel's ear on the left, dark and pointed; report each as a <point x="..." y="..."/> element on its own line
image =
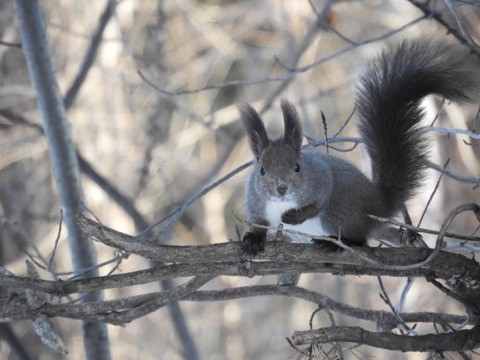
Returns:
<point x="253" y="124"/>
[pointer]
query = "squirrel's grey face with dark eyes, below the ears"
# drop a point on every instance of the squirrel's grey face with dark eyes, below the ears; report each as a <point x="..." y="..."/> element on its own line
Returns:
<point x="278" y="174"/>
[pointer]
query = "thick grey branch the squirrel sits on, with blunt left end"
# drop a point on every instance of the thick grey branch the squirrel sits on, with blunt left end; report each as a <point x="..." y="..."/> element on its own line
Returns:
<point x="304" y="257"/>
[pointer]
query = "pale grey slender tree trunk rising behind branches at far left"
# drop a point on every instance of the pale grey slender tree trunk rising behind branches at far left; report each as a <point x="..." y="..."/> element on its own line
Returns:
<point x="64" y="161"/>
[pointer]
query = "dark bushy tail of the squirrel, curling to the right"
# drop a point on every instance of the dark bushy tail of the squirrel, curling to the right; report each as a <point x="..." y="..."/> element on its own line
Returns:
<point x="388" y="101"/>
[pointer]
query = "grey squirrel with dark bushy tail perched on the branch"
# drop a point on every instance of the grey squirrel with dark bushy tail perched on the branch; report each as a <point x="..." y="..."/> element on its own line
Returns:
<point x="323" y="195"/>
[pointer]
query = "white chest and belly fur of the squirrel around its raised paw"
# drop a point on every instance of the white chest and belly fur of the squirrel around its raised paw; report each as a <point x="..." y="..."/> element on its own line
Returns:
<point x="274" y="211"/>
